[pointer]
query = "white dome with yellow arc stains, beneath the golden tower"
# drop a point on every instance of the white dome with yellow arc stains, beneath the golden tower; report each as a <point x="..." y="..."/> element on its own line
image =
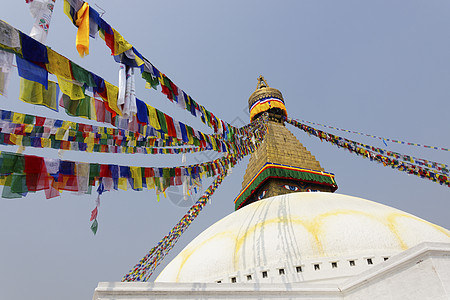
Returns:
<point x="299" y="237"/>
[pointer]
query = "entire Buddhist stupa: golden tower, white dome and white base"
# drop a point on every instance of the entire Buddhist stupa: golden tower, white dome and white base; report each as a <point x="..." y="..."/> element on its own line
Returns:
<point x="293" y="237"/>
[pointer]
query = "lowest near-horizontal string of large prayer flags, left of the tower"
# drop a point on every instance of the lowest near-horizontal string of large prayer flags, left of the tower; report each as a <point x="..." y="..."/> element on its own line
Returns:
<point x="21" y="174"/>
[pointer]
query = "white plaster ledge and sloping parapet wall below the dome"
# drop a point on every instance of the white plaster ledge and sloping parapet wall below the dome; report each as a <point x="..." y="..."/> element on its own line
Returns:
<point x="422" y="272"/>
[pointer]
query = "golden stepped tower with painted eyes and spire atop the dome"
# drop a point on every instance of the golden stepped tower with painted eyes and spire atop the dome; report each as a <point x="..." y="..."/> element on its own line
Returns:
<point x="281" y="164"/>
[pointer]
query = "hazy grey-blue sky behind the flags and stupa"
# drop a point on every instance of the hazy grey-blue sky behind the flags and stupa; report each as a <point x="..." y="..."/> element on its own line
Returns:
<point x="379" y="67"/>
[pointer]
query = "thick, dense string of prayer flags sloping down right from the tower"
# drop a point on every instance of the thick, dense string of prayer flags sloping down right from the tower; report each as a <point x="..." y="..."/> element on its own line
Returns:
<point x="422" y="172"/>
